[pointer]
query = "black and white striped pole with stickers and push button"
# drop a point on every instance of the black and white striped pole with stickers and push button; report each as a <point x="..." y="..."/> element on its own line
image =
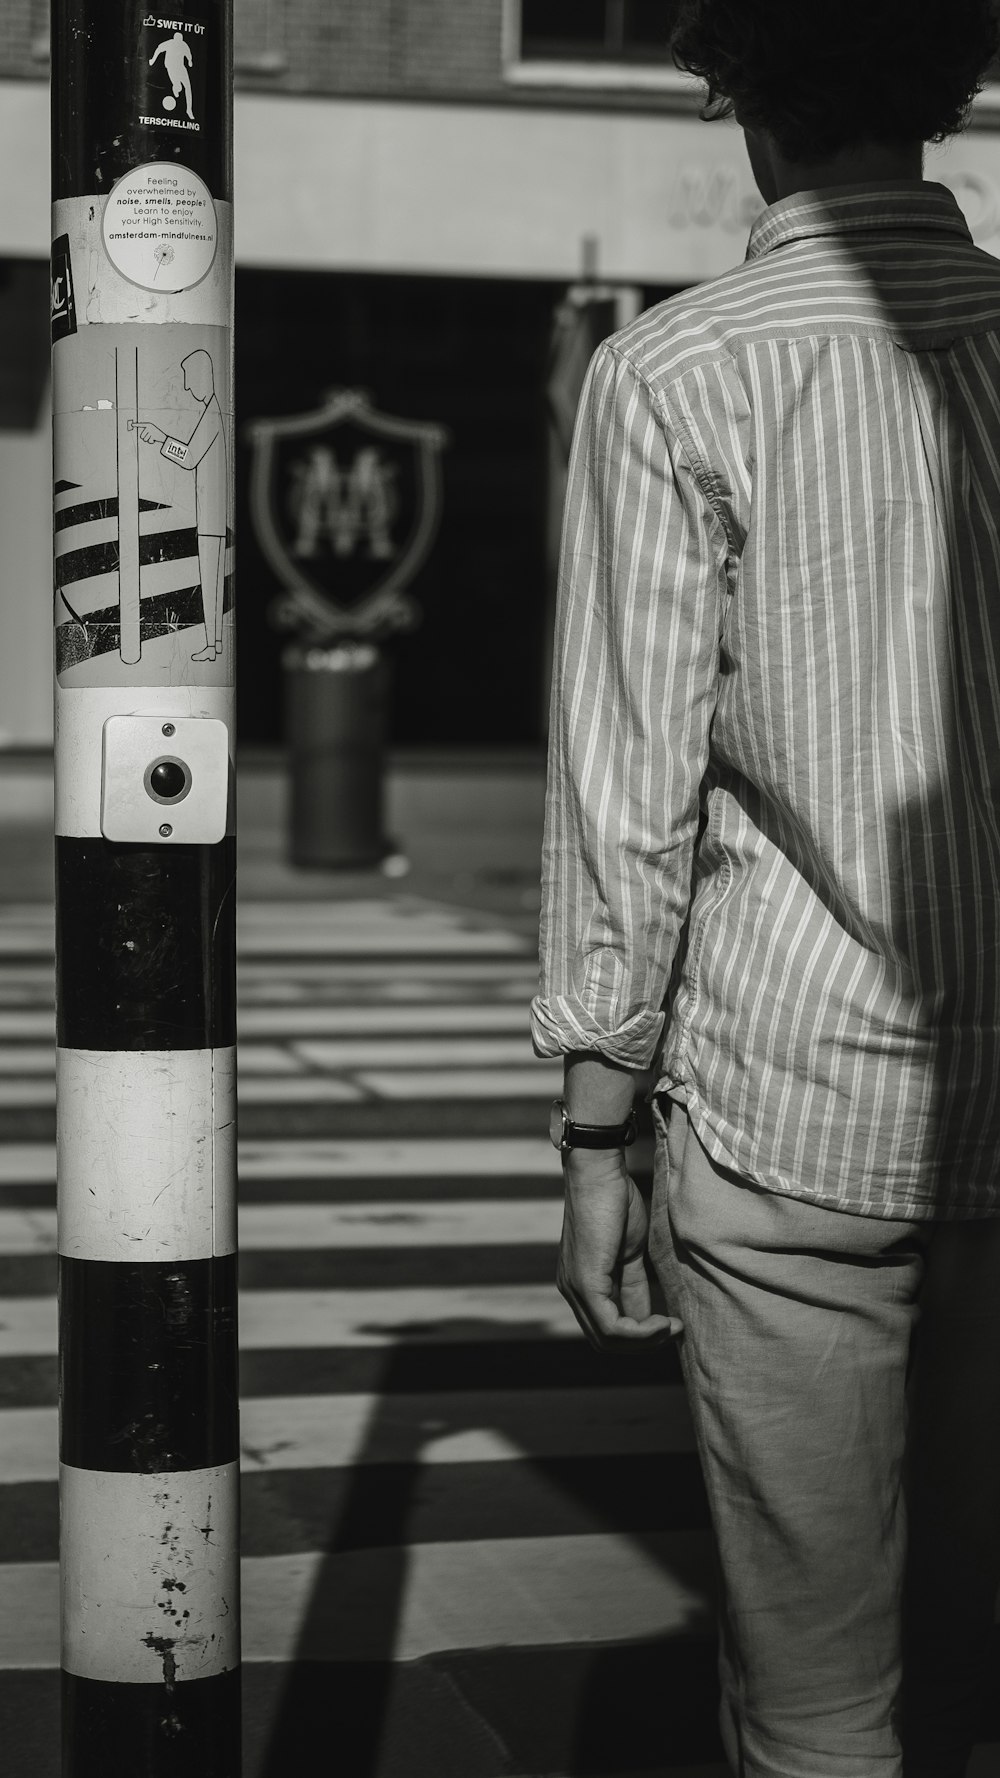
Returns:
<point x="145" y="849"/>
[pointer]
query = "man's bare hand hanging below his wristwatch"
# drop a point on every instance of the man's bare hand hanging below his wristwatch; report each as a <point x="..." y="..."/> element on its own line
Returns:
<point x="602" y="1254"/>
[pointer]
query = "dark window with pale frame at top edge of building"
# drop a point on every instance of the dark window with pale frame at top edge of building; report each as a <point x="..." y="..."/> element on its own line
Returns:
<point x="597" y="31"/>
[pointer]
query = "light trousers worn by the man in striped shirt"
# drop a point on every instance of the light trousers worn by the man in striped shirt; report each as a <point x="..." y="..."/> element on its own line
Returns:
<point x="844" y="1381"/>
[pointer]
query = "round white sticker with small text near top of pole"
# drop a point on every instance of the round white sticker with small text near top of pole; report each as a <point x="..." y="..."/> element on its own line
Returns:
<point x="159" y="227"/>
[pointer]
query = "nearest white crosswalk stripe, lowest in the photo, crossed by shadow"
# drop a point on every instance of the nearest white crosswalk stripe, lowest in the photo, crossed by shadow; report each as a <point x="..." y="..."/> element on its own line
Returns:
<point x="480" y="1594"/>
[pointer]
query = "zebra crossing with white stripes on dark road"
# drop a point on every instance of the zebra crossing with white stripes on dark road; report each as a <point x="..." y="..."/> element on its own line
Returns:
<point x="467" y="1539"/>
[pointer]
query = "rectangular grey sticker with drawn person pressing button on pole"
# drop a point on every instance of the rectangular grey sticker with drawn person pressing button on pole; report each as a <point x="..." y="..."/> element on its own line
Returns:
<point x="143" y="508"/>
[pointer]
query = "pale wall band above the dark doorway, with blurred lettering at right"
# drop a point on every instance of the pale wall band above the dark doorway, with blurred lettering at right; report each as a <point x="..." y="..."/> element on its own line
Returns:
<point x="467" y="191"/>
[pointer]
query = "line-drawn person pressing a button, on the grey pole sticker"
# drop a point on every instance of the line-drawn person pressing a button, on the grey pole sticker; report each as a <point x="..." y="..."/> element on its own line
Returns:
<point x="206" y="454"/>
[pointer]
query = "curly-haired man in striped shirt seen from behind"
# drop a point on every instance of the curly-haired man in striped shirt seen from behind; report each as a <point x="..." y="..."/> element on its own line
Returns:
<point x="773" y="870"/>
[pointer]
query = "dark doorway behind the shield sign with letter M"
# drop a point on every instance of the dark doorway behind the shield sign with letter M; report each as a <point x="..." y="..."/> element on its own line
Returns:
<point x="469" y="355"/>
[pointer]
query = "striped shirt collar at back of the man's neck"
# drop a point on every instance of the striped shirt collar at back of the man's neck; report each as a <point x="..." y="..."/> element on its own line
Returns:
<point x="878" y="209"/>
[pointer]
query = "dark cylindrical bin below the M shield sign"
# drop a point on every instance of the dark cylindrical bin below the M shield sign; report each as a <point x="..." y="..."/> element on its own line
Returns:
<point x="335" y="725"/>
